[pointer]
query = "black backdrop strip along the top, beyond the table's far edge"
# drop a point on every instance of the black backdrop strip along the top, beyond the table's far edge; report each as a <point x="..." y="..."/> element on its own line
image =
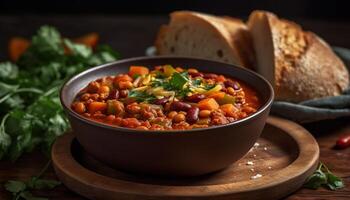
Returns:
<point x="329" y="9"/>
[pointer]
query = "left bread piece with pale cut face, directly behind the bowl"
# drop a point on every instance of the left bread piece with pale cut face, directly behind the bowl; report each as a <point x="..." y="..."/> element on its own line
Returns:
<point x="195" y="34"/>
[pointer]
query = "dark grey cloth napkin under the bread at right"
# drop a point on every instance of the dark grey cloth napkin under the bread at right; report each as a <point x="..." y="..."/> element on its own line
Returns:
<point x="318" y="109"/>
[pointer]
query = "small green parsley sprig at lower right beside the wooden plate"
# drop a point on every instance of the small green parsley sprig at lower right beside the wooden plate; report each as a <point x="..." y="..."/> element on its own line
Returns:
<point x="323" y="177"/>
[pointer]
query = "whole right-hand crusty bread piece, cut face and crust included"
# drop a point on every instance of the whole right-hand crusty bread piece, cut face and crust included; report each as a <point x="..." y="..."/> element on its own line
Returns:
<point x="299" y="64"/>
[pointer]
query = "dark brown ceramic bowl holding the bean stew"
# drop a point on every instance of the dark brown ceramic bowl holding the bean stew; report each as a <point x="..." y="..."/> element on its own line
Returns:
<point x="174" y="153"/>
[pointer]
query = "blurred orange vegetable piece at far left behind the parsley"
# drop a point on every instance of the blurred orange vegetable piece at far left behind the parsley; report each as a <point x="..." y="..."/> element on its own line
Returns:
<point x="17" y="46"/>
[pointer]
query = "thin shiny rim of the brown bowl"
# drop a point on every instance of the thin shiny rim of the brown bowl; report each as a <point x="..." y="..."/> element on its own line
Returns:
<point x="129" y="130"/>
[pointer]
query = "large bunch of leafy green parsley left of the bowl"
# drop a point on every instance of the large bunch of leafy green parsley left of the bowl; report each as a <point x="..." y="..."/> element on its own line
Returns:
<point x="31" y="115"/>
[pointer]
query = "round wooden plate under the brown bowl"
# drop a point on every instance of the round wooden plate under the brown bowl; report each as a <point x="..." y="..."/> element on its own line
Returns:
<point x="285" y="155"/>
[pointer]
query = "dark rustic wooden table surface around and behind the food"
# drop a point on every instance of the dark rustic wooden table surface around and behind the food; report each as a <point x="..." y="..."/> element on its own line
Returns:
<point x="131" y="35"/>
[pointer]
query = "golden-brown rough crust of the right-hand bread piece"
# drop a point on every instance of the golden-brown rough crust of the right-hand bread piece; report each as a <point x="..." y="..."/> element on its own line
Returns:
<point x="305" y="65"/>
